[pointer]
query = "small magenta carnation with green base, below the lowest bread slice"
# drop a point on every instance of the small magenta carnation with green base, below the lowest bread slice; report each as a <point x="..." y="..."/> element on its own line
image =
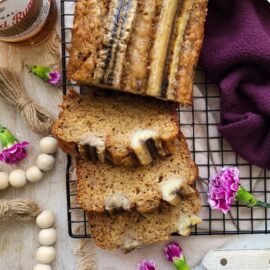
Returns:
<point x="174" y="253"/>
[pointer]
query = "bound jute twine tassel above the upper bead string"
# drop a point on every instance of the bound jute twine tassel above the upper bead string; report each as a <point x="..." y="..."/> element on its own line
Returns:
<point x="11" y="90"/>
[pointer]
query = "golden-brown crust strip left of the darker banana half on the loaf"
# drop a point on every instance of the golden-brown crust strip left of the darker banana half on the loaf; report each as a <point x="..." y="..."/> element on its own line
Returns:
<point x="88" y="30"/>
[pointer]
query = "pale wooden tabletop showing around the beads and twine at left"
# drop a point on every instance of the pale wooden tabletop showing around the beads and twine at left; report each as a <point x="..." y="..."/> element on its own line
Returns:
<point x="19" y="242"/>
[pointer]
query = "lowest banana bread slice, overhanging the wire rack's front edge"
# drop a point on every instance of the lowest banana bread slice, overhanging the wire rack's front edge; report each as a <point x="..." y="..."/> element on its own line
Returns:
<point x="130" y="230"/>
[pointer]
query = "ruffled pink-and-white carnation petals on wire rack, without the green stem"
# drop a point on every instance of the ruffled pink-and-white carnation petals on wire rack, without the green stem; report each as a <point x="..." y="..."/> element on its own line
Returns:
<point x="223" y="188"/>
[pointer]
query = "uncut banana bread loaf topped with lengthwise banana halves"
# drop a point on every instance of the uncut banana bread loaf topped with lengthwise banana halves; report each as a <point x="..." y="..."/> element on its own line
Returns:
<point x="143" y="47"/>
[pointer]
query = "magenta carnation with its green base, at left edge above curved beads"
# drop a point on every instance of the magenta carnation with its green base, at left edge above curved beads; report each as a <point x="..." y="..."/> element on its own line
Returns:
<point x="12" y="151"/>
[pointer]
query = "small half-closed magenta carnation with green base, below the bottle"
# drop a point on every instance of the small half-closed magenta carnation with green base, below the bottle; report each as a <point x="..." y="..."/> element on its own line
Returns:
<point x="47" y="74"/>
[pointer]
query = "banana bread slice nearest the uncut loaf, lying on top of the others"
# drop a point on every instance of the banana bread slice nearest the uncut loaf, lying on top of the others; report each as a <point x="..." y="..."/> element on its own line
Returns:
<point x="119" y="128"/>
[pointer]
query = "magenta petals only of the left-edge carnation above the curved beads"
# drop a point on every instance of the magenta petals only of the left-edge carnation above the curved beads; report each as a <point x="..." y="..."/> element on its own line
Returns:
<point x="14" y="154"/>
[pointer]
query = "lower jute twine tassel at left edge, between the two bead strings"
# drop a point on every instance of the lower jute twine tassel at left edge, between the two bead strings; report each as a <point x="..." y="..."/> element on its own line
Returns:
<point x="21" y="210"/>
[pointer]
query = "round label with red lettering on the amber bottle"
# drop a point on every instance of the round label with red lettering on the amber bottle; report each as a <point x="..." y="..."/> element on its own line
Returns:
<point x="22" y="20"/>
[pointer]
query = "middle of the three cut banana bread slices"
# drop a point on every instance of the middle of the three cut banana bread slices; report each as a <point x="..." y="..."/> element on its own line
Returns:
<point x="105" y="187"/>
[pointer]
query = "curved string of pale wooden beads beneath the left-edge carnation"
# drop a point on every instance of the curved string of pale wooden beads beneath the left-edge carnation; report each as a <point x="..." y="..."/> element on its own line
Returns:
<point x="45" y="162"/>
